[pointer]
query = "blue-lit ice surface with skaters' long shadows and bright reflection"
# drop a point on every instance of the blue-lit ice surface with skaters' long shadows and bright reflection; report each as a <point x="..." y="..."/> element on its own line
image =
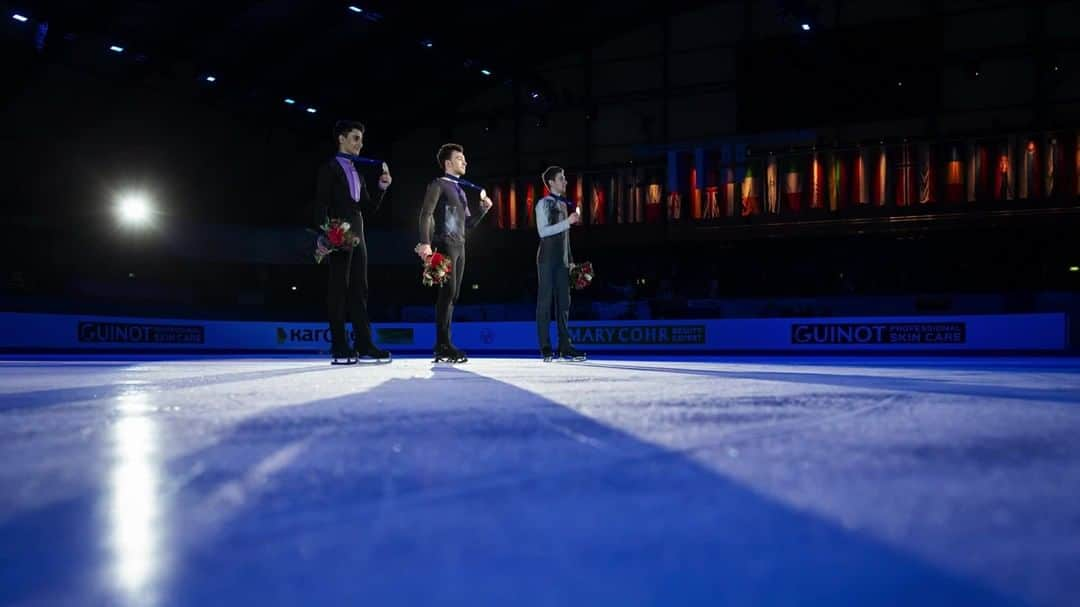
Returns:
<point x="705" y="481"/>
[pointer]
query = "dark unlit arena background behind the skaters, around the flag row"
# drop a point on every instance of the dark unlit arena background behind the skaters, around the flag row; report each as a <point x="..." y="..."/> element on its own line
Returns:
<point x="587" y="86"/>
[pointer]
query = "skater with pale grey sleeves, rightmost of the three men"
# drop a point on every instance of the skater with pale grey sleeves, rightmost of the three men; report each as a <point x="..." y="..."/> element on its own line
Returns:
<point x="556" y="214"/>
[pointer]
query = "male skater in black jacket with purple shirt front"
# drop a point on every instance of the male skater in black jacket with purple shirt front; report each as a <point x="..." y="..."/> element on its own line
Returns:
<point x="342" y="194"/>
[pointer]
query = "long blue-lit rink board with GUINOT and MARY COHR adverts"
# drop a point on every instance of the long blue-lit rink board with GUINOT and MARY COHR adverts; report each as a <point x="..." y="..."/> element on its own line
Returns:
<point x="1048" y="332"/>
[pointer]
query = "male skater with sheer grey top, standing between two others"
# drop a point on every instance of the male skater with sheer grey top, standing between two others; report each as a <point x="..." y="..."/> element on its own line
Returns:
<point x="444" y="219"/>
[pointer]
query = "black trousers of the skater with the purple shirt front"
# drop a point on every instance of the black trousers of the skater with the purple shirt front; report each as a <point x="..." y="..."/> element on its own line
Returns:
<point x="352" y="298"/>
